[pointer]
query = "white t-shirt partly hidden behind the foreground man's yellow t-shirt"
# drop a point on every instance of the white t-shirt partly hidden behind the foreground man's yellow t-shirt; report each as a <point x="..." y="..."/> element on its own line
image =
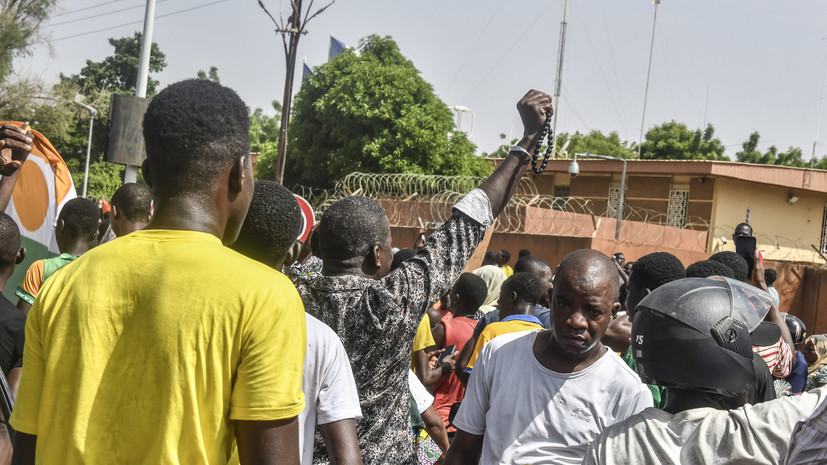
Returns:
<point x="329" y="389"/>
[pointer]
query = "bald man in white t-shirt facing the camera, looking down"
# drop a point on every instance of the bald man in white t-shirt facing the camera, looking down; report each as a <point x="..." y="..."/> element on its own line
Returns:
<point x="541" y="397"/>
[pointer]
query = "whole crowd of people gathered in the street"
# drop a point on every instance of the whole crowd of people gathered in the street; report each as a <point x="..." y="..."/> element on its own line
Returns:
<point x="196" y="328"/>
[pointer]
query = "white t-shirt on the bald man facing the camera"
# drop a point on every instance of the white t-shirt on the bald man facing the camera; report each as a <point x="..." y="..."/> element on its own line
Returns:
<point x="530" y="414"/>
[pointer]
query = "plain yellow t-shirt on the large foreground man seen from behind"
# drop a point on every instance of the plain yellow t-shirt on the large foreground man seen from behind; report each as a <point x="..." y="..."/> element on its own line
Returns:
<point x="146" y="348"/>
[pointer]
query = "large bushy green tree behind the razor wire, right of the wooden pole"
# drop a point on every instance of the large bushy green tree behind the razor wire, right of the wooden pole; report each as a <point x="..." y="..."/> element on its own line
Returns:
<point x="373" y="112"/>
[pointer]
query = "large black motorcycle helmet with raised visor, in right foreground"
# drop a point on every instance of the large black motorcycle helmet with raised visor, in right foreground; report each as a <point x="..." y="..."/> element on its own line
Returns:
<point x="694" y="334"/>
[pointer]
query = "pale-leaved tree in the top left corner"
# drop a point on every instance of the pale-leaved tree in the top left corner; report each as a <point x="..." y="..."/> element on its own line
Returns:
<point x="20" y="22"/>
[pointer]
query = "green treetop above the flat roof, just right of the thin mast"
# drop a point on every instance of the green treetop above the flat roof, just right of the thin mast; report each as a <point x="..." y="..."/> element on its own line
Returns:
<point x="674" y="141"/>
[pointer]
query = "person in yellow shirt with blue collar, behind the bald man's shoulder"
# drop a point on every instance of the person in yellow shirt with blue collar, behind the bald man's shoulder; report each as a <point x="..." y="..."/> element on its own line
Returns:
<point x="518" y="297"/>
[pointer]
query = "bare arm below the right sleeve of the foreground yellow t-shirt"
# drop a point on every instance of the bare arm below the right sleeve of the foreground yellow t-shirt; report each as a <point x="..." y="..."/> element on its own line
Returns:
<point x="268" y="442"/>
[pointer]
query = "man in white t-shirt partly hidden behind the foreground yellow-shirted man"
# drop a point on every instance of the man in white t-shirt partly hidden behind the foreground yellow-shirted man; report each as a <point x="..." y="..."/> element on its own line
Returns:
<point x="331" y="401"/>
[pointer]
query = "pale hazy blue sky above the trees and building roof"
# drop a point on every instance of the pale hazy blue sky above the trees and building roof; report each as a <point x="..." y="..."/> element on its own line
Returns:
<point x="742" y="65"/>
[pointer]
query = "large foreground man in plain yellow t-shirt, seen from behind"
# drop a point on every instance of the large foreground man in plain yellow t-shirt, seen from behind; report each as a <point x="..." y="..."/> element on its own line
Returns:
<point x="173" y="362"/>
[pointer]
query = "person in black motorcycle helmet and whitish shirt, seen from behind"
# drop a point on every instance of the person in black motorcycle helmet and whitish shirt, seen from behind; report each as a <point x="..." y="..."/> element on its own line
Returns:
<point x="692" y="337"/>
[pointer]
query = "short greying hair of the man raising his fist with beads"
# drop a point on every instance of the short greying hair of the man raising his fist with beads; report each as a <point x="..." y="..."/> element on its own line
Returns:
<point x="351" y="227"/>
